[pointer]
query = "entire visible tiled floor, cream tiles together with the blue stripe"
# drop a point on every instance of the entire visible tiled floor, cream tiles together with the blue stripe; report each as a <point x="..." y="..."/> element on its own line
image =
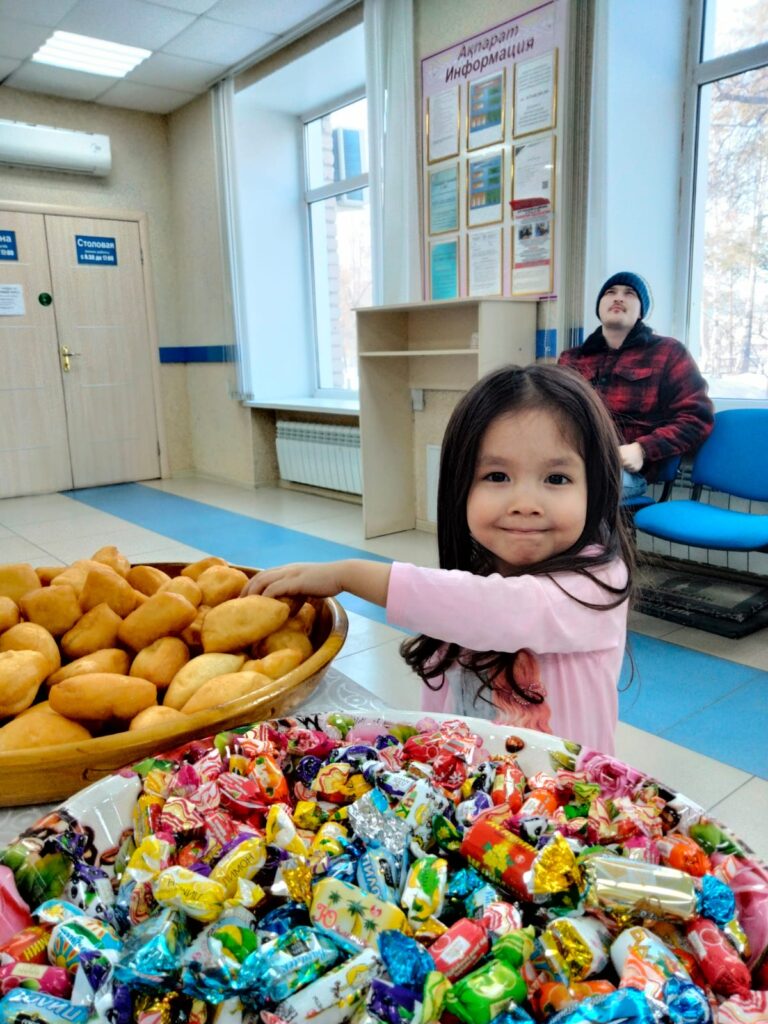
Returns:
<point x="58" y="529"/>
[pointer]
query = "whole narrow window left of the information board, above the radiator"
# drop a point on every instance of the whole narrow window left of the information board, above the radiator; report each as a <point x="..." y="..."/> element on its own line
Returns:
<point x="338" y="215"/>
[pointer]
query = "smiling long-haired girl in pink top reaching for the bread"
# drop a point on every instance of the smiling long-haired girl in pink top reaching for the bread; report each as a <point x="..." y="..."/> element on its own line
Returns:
<point x="526" y="622"/>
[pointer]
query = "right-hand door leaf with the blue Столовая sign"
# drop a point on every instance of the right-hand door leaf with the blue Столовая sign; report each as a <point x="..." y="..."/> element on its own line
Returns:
<point x="101" y="311"/>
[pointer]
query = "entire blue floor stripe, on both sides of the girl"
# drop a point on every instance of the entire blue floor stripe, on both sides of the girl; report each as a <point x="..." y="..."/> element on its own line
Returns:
<point x="700" y="702"/>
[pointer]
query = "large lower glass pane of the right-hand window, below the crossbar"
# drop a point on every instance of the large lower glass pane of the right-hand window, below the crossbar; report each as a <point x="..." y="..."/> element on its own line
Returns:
<point x="731" y="287"/>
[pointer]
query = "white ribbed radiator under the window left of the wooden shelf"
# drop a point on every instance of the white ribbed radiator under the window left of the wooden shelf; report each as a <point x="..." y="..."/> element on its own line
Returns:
<point x="320" y="454"/>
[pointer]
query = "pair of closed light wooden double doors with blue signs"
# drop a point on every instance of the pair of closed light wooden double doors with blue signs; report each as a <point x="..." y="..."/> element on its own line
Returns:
<point x="77" y="401"/>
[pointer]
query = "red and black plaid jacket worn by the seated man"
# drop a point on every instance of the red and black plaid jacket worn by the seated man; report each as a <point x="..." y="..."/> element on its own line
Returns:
<point x="653" y="389"/>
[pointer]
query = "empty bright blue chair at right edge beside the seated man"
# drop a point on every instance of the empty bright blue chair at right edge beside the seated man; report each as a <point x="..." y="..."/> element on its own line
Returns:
<point x="734" y="460"/>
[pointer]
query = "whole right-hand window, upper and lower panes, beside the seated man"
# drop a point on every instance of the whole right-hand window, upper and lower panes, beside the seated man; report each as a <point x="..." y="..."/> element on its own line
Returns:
<point x="730" y="280"/>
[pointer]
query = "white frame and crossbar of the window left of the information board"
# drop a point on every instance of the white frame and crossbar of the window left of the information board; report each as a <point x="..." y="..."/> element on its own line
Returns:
<point x="318" y="195"/>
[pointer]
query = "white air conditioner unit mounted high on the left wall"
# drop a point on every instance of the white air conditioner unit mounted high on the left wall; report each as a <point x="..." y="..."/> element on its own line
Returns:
<point x="55" y="149"/>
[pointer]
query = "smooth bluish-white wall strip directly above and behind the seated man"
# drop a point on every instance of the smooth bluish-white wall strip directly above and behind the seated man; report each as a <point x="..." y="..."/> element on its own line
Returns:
<point x="636" y="138"/>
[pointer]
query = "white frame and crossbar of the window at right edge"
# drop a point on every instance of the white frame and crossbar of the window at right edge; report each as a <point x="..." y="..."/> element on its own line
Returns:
<point x="700" y="73"/>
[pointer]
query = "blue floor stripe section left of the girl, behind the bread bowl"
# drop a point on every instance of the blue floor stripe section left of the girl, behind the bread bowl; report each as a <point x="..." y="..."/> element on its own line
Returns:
<point x="240" y="539"/>
